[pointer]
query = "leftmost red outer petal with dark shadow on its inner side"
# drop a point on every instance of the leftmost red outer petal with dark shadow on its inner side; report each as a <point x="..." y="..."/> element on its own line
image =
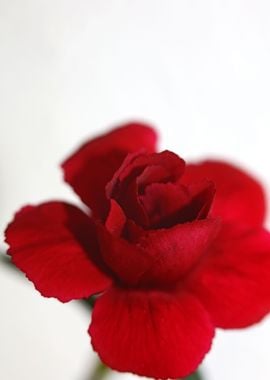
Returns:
<point x="54" y="244"/>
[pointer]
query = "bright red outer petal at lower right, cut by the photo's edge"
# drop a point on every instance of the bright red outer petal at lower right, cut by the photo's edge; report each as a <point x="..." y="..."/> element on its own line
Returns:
<point x="234" y="280"/>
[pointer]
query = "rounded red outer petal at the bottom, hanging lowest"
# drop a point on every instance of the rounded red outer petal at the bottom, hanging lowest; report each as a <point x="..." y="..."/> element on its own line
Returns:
<point x="155" y="334"/>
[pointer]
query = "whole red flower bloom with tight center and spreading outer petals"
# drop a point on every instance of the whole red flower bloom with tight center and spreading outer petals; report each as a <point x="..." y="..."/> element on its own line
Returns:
<point x="173" y="251"/>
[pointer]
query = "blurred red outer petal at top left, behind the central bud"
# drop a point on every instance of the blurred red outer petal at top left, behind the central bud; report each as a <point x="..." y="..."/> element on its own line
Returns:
<point x="90" y="168"/>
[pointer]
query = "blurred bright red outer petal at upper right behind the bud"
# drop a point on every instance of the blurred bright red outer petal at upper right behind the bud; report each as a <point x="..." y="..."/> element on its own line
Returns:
<point x="239" y="197"/>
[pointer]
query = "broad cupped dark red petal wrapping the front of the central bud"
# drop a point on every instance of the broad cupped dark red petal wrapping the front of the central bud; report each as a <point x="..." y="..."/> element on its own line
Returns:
<point x="160" y="257"/>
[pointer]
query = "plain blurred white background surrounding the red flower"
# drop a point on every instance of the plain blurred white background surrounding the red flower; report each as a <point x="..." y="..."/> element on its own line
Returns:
<point x="197" y="70"/>
